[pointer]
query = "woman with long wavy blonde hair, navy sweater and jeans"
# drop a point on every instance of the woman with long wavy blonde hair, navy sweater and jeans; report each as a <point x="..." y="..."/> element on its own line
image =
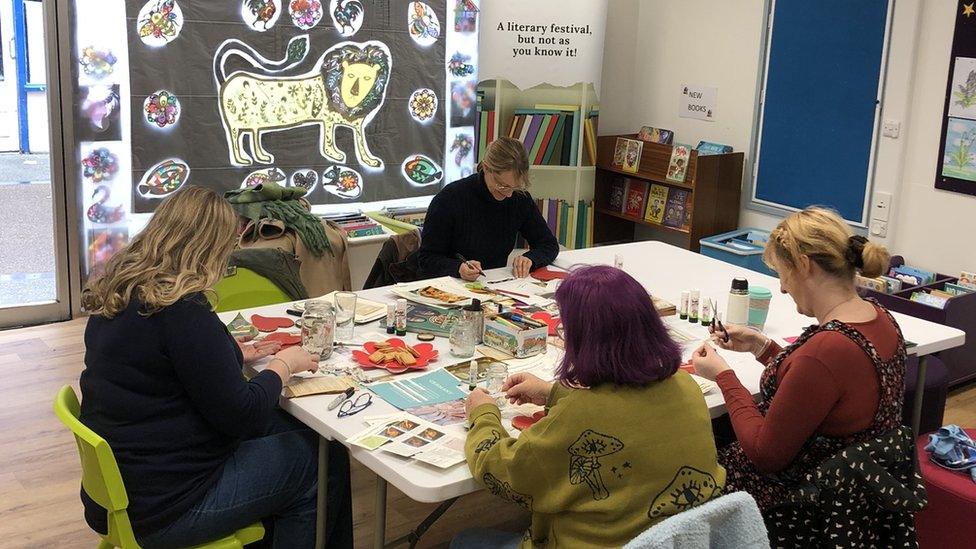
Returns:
<point x="202" y="451"/>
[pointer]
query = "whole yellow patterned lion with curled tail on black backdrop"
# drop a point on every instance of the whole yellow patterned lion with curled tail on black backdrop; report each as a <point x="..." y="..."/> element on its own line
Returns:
<point x="346" y="88"/>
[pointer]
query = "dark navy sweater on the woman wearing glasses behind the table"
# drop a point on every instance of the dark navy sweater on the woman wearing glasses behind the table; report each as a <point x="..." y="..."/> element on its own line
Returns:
<point x="465" y="218"/>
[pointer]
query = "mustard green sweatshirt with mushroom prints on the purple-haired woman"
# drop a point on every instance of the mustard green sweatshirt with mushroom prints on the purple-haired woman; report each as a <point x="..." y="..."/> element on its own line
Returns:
<point x="604" y="464"/>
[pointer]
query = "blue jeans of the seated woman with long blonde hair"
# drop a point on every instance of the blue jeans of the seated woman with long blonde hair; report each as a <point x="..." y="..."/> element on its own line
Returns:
<point x="273" y="477"/>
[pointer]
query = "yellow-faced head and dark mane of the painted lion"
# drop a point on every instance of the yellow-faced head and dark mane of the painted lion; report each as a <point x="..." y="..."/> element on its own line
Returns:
<point x="356" y="76"/>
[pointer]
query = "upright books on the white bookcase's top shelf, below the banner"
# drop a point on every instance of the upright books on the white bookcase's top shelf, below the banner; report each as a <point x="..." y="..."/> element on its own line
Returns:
<point x="550" y="133"/>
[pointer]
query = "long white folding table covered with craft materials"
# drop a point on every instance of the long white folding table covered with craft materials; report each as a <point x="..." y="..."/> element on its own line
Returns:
<point x="663" y="269"/>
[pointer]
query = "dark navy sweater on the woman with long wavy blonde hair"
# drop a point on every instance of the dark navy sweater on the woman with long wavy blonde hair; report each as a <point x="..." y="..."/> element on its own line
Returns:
<point x="166" y="392"/>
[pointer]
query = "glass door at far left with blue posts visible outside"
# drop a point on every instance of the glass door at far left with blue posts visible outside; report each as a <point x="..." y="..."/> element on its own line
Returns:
<point x="34" y="256"/>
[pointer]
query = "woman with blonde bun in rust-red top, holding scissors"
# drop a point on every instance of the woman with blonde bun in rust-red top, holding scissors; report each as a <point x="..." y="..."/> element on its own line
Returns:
<point x="839" y="384"/>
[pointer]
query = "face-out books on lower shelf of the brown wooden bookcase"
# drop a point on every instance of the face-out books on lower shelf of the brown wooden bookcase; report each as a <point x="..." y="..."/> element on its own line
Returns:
<point x="653" y="203"/>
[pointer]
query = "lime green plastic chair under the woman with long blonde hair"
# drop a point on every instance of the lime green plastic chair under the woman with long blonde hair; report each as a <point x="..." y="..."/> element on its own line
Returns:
<point x="102" y="482"/>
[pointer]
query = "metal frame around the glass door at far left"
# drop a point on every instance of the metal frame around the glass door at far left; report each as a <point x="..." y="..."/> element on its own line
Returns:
<point x="64" y="197"/>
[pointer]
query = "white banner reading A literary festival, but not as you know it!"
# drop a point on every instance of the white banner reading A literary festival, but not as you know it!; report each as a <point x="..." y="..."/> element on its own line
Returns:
<point x="555" y="42"/>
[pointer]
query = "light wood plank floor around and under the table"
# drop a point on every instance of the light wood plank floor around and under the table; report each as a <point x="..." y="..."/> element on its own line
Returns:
<point x="39" y="470"/>
